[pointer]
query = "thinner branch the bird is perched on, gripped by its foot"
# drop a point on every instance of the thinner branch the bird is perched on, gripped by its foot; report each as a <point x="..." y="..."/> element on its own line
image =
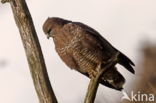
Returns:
<point x="94" y="82"/>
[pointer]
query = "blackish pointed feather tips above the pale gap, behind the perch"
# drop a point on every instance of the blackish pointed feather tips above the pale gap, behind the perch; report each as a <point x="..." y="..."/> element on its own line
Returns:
<point x="126" y="62"/>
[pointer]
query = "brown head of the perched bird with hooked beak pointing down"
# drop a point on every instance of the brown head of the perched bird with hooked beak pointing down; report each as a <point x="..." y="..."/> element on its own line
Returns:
<point x="51" y="24"/>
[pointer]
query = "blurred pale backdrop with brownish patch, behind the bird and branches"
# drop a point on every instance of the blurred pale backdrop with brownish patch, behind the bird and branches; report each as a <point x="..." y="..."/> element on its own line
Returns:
<point x="129" y="25"/>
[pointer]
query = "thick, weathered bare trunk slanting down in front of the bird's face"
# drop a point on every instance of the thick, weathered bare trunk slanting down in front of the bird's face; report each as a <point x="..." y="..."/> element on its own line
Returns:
<point x="33" y="51"/>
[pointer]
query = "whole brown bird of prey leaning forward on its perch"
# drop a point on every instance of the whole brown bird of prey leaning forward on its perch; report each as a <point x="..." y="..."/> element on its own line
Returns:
<point x="82" y="48"/>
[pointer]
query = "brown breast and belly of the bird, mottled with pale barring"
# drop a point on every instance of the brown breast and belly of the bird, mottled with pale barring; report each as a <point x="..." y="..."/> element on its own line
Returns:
<point x="75" y="49"/>
